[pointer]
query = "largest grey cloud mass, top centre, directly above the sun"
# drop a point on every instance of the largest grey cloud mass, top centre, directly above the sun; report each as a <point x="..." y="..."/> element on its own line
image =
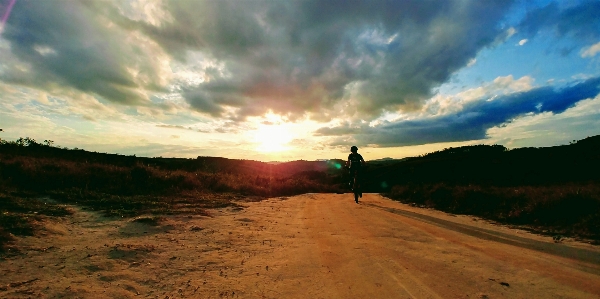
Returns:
<point x="305" y="58"/>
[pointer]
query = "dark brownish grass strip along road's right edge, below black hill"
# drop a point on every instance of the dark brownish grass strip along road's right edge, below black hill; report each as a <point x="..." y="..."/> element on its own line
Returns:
<point x="558" y="210"/>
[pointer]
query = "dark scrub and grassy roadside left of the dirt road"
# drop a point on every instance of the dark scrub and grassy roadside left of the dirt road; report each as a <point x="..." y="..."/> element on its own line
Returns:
<point x="120" y="186"/>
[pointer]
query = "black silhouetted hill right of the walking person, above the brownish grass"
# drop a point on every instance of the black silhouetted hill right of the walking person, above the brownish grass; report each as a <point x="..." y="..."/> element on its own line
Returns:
<point x="494" y="165"/>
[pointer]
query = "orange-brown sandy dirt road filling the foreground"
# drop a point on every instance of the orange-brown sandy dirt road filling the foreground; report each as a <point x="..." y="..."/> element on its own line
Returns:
<point x="309" y="246"/>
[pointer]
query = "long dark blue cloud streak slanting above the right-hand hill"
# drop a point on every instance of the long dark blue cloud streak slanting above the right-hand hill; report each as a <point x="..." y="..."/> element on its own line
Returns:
<point x="472" y="122"/>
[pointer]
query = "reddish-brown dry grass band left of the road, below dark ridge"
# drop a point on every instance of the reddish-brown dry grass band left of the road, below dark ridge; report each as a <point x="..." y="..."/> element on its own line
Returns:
<point x="45" y="174"/>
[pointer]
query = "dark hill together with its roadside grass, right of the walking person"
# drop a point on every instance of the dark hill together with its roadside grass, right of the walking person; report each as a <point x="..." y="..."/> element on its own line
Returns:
<point x="552" y="190"/>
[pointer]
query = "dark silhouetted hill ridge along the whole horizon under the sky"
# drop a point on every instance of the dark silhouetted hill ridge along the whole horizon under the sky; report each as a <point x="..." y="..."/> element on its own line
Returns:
<point x="481" y="164"/>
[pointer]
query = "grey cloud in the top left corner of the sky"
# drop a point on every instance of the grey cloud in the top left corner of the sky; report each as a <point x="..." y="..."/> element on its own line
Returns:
<point x="65" y="43"/>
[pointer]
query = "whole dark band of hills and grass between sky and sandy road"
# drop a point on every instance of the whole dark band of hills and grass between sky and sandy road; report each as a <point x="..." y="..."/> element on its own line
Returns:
<point x="551" y="190"/>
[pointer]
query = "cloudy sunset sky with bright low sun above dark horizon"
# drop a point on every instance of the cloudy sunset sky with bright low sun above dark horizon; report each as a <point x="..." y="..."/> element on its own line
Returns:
<point x="288" y="80"/>
